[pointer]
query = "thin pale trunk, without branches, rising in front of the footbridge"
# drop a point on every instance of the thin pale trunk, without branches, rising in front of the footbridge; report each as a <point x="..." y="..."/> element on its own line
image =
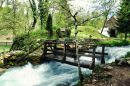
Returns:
<point x="77" y="55"/>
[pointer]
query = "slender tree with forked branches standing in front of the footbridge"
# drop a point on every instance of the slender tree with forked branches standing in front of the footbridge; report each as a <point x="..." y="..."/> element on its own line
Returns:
<point x="73" y="15"/>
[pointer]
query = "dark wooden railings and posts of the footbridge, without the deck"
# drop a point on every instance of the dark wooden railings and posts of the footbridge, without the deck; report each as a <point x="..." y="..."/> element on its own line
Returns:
<point x="68" y="49"/>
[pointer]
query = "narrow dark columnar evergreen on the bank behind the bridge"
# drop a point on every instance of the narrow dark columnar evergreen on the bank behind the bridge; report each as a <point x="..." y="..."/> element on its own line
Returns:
<point x="49" y="25"/>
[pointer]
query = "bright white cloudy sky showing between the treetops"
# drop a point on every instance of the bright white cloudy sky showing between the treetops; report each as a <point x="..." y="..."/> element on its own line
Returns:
<point x="87" y="5"/>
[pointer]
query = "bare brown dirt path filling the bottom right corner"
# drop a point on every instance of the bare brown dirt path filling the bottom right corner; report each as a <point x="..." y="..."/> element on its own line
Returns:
<point x="121" y="76"/>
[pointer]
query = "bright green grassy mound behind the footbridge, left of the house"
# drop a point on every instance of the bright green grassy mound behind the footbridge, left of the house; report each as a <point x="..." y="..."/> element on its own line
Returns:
<point x="86" y="31"/>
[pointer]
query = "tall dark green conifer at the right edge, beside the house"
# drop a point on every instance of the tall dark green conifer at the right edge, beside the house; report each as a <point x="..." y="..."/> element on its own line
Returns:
<point x="123" y="21"/>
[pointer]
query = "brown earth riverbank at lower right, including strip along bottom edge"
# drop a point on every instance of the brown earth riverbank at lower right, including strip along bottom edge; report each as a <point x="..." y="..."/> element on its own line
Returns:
<point x="120" y="77"/>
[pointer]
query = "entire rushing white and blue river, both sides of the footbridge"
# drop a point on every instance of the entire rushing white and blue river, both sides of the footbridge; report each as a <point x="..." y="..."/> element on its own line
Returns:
<point x="54" y="73"/>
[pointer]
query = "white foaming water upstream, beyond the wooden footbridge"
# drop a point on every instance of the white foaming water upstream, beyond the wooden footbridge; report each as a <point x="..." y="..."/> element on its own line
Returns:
<point x="113" y="52"/>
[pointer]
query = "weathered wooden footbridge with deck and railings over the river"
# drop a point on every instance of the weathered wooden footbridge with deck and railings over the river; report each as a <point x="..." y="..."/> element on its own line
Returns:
<point x="65" y="52"/>
